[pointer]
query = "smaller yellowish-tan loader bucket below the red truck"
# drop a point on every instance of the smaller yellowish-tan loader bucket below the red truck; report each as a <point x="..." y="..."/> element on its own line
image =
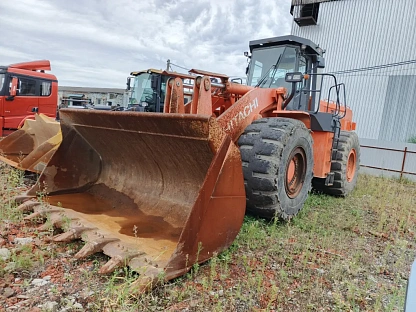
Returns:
<point x="31" y="147"/>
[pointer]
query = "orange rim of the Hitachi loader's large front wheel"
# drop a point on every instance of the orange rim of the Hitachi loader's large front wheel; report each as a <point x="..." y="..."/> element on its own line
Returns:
<point x="295" y="172"/>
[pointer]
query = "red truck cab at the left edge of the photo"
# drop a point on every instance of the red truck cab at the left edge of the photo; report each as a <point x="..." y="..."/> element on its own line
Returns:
<point x="25" y="89"/>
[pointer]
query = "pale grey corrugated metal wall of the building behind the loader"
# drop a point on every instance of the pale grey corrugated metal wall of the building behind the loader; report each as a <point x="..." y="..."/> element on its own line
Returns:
<point x="364" y="33"/>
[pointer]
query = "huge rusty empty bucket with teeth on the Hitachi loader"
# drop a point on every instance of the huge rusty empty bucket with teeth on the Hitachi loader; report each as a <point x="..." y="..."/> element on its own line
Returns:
<point x="156" y="192"/>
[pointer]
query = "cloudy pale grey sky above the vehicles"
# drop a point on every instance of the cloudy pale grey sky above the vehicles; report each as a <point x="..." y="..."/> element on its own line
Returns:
<point x="97" y="43"/>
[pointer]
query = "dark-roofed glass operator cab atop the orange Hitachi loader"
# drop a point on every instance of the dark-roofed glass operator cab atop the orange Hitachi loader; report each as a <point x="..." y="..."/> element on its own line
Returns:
<point x="271" y="59"/>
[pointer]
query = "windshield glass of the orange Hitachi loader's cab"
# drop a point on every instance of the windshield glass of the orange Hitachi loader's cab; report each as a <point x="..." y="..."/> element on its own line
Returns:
<point x="270" y="65"/>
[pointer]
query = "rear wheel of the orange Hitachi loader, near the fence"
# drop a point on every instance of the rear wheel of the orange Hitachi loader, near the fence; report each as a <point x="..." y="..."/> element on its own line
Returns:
<point x="345" y="165"/>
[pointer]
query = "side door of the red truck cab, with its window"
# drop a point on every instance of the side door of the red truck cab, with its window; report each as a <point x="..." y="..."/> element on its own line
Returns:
<point x="25" y="103"/>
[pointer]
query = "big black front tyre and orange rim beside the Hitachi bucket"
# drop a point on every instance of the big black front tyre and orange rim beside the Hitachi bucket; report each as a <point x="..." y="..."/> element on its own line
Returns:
<point x="277" y="165"/>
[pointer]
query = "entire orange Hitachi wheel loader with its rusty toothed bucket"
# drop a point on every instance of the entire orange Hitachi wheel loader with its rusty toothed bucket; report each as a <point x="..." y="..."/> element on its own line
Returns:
<point x="160" y="192"/>
